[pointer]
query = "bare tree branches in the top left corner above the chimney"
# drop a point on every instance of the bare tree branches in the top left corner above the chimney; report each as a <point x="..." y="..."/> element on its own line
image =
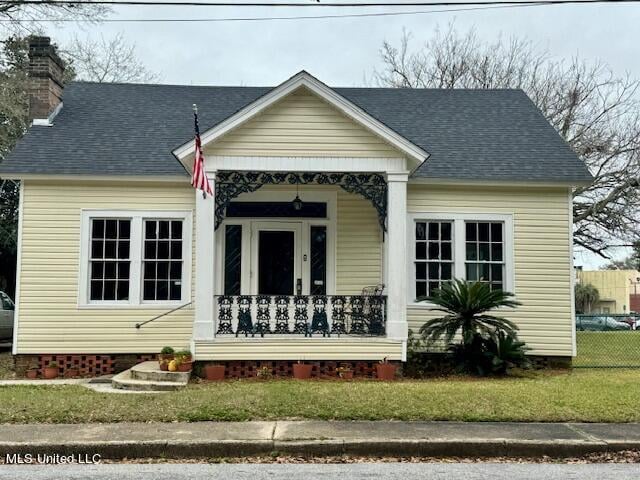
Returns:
<point x="22" y="18"/>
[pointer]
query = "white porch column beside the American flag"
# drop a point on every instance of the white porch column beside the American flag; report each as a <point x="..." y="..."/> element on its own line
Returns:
<point x="203" y="326"/>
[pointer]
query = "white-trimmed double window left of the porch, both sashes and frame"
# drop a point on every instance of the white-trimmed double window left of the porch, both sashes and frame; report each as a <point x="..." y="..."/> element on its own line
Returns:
<point x="131" y="258"/>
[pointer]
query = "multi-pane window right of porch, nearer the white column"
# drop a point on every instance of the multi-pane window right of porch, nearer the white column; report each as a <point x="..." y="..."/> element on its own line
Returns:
<point x="433" y="256"/>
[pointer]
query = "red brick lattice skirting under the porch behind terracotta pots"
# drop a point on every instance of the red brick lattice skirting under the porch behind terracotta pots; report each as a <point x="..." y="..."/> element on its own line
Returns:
<point x="284" y="368"/>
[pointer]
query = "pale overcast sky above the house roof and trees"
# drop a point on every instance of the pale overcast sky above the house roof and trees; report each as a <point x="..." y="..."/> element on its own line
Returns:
<point x="343" y="52"/>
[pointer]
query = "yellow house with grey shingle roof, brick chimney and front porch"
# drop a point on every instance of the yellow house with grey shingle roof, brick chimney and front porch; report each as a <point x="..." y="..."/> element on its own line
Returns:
<point x="333" y="210"/>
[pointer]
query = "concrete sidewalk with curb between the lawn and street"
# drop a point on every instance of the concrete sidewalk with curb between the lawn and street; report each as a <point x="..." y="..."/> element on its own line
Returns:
<point x="318" y="438"/>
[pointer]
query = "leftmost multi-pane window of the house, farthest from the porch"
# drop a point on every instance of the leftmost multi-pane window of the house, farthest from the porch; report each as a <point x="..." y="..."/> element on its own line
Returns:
<point x="110" y="261"/>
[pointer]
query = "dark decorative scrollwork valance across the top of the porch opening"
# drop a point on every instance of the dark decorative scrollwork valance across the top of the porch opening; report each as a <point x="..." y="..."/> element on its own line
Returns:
<point x="230" y="184"/>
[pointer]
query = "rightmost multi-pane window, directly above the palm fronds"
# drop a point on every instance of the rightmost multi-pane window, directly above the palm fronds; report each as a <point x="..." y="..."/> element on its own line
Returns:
<point x="484" y="253"/>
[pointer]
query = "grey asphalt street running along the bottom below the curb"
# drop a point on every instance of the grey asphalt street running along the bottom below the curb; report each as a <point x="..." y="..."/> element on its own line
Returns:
<point x="392" y="471"/>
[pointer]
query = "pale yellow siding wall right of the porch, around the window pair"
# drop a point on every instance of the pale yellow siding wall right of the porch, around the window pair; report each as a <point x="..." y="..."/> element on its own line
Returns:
<point x="541" y="255"/>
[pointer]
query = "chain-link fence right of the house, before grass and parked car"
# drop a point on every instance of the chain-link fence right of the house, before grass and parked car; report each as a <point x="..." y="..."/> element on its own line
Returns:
<point x="607" y="341"/>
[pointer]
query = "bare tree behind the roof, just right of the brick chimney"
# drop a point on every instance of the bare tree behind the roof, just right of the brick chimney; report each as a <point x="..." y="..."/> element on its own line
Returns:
<point x="106" y="60"/>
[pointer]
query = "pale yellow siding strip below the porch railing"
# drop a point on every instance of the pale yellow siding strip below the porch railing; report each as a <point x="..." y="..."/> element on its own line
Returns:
<point x="306" y="349"/>
